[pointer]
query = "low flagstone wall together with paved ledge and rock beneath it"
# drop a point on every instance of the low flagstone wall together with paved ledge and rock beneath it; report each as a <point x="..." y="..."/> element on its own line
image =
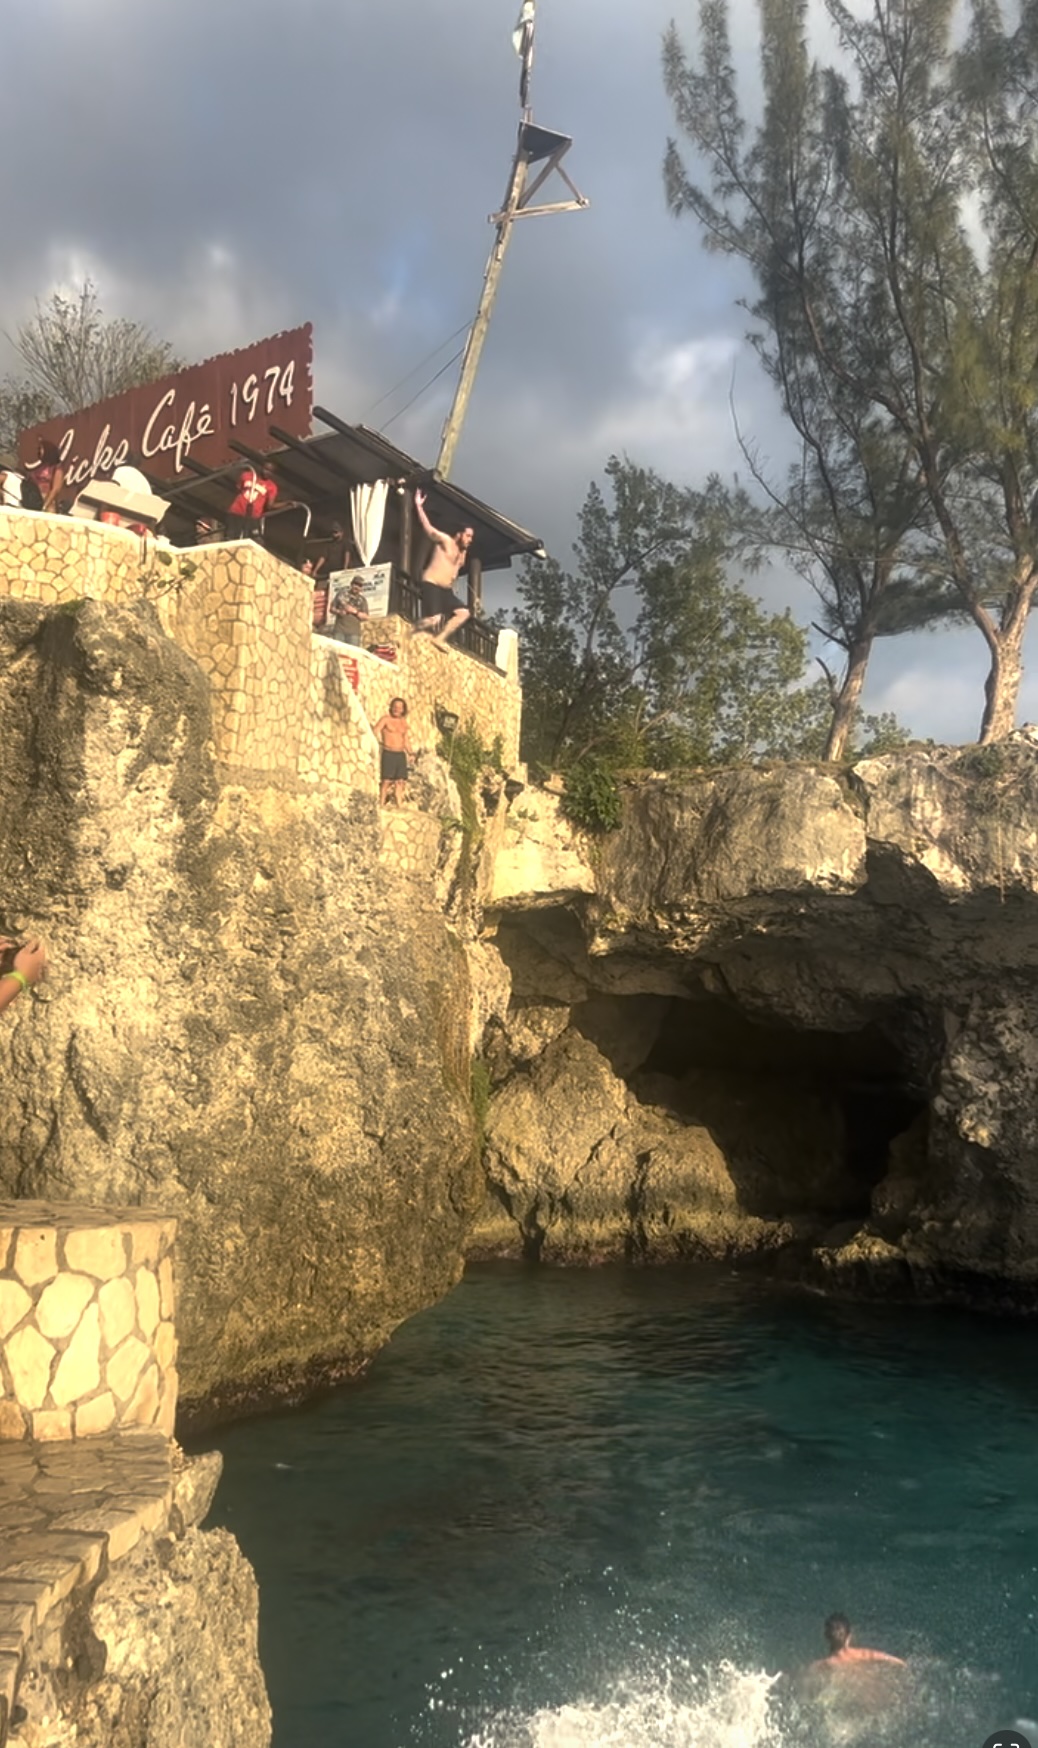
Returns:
<point x="120" y="1621"/>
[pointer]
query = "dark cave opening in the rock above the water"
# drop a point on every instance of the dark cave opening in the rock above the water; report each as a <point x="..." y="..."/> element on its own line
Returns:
<point x="806" y="1120"/>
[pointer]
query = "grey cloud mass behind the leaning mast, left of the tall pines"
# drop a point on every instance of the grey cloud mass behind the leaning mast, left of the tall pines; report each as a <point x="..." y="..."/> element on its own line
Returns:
<point x="338" y="162"/>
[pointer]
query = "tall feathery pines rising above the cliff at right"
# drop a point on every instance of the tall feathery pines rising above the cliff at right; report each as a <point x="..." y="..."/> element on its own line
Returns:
<point x="901" y="338"/>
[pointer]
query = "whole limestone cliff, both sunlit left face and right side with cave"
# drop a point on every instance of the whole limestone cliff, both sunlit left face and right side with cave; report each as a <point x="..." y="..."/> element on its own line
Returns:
<point x="780" y="1013"/>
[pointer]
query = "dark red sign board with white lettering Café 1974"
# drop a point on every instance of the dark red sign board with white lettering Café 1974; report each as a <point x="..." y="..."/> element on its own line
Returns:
<point x="193" y="413"/>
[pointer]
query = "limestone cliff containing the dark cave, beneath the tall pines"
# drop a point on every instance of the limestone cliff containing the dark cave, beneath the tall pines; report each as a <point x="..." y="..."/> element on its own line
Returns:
<point x="780" y="1011"/>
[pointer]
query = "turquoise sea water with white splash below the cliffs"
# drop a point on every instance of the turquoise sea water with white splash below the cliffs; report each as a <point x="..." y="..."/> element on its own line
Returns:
<point x="609" y="1508"/>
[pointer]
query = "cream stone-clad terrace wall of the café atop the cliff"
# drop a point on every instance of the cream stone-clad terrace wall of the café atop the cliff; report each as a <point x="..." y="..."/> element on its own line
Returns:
<point x="279" y="695"/>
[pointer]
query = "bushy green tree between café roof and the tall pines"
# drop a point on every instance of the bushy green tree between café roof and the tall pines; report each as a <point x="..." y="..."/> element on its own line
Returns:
<point x="647" y="653"/>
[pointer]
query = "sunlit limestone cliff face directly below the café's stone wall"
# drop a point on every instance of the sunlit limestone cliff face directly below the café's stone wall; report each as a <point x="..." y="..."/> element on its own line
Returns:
<point x="249" y="1023"/>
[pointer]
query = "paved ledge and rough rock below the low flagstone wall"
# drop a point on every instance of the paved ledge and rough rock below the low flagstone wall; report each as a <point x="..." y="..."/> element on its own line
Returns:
<point x="123" y="1623"/>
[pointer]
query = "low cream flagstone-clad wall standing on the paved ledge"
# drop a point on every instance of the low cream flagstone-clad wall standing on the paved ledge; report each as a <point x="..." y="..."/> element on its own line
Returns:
<point x="86" y="1321"/>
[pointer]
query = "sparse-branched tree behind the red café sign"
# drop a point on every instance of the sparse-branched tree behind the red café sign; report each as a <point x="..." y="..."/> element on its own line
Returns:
<point x="74" y="356"/>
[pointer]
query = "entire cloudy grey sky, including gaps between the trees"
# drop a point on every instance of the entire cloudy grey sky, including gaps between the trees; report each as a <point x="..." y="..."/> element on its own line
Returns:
<point x="225" y="172"/>
